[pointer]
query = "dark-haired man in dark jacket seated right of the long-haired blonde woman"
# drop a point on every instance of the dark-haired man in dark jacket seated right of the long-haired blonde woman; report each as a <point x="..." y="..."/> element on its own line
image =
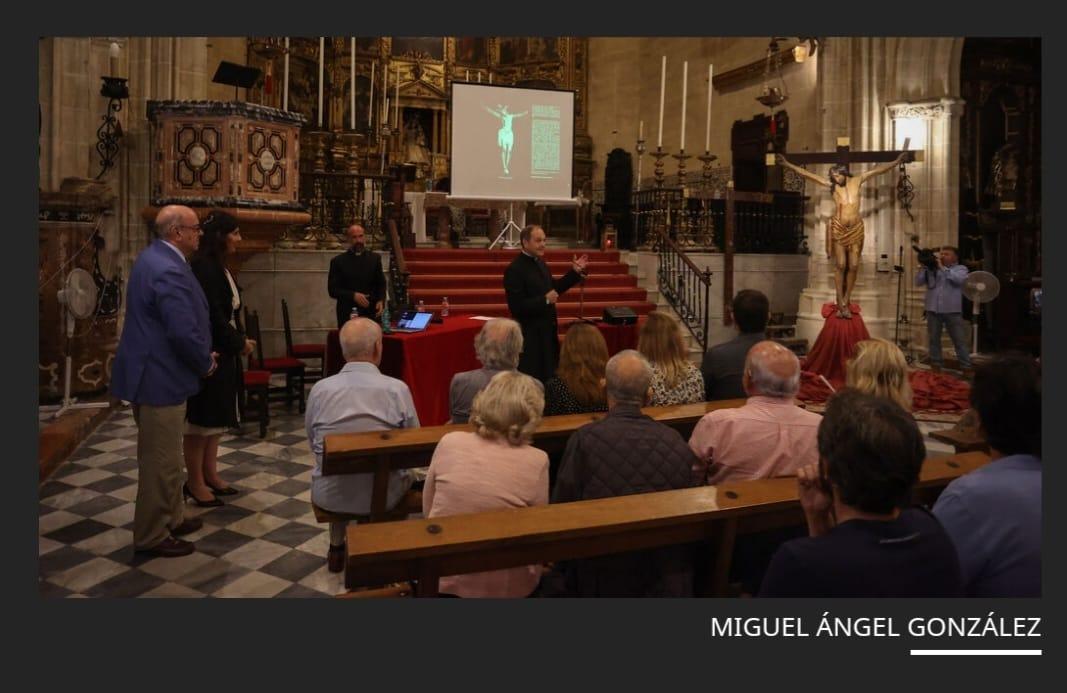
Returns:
<point x="725" y="364"/>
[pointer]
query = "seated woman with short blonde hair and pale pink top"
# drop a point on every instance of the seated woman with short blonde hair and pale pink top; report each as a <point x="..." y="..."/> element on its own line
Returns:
<point x="492" y="469"/>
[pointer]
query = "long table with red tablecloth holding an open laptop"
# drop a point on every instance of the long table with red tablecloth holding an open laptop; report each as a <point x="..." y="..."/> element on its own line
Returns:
<point x="428" y="360"/>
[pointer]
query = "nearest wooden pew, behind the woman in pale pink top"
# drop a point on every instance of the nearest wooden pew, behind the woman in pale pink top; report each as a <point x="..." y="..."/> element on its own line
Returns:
<point x="426" y="549"/>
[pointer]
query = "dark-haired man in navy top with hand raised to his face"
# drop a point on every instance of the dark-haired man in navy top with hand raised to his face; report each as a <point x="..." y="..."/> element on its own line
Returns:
<point x="865" y="541"/>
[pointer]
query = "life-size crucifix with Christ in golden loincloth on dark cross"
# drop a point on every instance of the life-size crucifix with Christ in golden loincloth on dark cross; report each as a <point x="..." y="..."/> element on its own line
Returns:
<point x="845" y="230"/>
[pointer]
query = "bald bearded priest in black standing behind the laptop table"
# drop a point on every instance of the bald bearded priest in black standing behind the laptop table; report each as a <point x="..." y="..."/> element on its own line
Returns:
<point x="357" y="279"/>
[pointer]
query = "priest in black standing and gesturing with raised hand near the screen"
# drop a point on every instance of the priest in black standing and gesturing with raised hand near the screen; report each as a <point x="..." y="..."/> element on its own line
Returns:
<point x="532" y="298"/>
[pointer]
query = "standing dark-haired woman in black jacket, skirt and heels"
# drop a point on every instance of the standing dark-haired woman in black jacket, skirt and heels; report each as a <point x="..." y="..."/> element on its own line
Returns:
<point x="214" y="411"/>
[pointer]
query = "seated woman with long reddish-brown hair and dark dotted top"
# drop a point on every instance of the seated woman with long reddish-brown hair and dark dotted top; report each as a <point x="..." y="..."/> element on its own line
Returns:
<point x="579" y="384"/>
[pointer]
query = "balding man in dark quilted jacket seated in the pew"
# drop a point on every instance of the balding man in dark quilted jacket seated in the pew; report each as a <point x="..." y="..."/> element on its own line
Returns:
<point x="626" y="453"/>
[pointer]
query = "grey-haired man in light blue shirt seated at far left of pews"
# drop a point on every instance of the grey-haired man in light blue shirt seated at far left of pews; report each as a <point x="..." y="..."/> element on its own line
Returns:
<point x="358" y="399"/>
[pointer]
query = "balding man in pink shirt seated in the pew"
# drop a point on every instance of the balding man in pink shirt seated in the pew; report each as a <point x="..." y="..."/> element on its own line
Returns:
<point x="770" y="436"/>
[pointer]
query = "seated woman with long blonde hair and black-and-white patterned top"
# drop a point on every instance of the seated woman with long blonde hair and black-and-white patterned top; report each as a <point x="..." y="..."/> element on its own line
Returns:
<point x="676" y="381"/>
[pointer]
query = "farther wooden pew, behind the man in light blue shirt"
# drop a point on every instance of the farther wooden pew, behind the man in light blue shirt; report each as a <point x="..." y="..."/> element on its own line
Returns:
<point x="383" y="452"/>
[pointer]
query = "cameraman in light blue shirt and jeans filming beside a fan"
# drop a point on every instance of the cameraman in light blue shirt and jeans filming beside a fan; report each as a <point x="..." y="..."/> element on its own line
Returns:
<point x="945" y="282"/>
